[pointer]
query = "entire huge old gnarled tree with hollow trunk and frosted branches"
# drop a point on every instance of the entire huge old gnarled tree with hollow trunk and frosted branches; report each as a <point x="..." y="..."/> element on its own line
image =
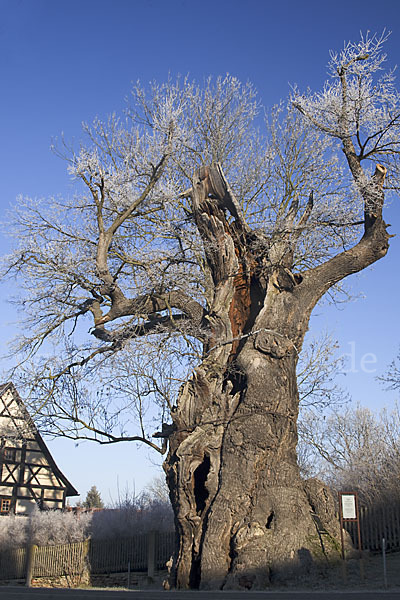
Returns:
<point x="177" y="283"/>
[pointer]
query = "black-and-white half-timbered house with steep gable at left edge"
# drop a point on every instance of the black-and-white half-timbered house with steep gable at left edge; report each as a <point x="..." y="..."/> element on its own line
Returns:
<point x="29" y="476"/>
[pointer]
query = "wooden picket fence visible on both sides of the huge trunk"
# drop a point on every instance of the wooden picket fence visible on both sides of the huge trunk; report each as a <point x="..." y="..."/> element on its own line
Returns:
<point x="149" y="552"/>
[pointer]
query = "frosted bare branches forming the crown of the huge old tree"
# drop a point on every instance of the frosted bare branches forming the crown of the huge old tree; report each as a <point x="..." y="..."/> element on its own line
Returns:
<point x="117" y="294"/>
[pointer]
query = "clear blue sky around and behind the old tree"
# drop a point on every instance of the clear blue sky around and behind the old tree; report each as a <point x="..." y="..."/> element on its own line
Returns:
<point x="65" y="62"/>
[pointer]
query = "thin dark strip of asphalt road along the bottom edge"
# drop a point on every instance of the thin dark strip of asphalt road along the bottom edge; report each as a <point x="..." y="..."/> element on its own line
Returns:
<point x="20" y="593"/>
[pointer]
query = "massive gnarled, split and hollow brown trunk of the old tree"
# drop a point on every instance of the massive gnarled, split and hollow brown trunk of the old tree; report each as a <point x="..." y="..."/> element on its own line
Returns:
<point x="244" y="516"/>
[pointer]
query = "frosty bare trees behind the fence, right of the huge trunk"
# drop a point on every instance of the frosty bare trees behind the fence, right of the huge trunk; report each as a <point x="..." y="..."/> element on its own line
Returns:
<point x="354" y="449"/>
